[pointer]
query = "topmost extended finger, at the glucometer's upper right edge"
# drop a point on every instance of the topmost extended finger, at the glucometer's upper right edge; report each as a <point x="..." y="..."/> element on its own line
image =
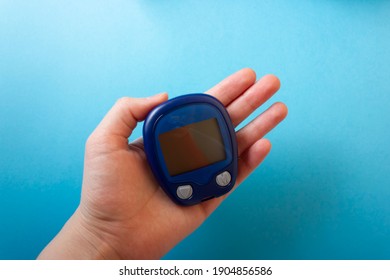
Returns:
<point x="233" y="86"/>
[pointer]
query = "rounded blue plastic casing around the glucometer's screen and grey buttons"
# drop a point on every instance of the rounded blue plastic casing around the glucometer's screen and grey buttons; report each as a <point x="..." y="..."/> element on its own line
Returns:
<point x="178" y="112"/>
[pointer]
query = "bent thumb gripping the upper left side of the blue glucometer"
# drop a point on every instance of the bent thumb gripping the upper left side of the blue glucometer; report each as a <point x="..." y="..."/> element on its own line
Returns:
<point x="121" y="120"/>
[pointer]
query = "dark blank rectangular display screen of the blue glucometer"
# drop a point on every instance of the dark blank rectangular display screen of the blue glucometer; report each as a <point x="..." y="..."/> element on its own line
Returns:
<point x="192" y="146"/>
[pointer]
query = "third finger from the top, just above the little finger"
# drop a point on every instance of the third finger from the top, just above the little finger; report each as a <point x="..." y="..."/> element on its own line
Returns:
<point x="260" y="126"/>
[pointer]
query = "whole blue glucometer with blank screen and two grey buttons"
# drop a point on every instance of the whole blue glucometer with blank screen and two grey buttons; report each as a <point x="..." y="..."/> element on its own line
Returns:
<point x="191" y="147"/>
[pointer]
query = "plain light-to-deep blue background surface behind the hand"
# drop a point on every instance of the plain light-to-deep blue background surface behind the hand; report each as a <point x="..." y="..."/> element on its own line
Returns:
<point x="322" y="193"/>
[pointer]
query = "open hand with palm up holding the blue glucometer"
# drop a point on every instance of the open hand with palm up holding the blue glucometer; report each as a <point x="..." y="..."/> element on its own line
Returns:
<point x="123" y="213"/>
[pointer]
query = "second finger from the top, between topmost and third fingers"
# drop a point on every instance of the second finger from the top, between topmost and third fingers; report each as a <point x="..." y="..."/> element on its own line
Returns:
<point x="255" y="96"/>
